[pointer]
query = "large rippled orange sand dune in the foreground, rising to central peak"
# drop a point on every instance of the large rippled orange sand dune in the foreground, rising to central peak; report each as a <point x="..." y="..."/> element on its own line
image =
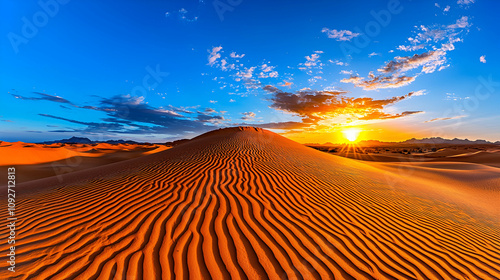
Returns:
<point x="243" y="203"/>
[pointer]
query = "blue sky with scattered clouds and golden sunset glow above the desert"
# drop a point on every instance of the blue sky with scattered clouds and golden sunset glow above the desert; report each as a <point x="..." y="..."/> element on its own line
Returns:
<point x="163" y="70"/>
